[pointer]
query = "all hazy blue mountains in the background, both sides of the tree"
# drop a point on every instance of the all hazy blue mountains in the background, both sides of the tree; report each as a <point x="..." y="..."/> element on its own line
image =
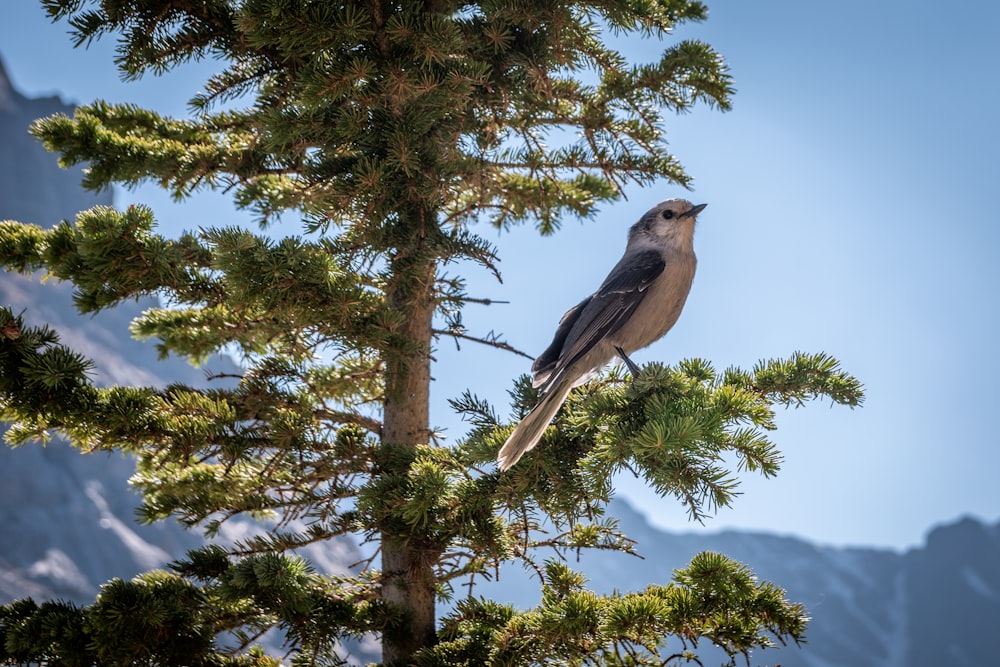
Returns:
<point x="67" y="520"/>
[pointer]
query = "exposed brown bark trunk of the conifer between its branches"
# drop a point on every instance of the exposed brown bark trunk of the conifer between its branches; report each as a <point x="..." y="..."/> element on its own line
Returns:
<point x="408" y="579"/>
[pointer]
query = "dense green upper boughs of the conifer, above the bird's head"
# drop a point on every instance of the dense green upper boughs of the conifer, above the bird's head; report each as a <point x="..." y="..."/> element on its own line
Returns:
<point x="359" y="112"/>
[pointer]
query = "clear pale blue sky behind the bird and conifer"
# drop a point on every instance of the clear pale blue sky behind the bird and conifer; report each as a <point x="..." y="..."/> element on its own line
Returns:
<point x="852" y="210"/>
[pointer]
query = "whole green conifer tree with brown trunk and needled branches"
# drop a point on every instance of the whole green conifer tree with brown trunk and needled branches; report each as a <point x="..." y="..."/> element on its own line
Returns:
<point x="390" y="131"/>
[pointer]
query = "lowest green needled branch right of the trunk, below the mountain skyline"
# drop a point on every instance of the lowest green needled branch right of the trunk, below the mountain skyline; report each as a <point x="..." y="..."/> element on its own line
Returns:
<point x="573" y="626"/>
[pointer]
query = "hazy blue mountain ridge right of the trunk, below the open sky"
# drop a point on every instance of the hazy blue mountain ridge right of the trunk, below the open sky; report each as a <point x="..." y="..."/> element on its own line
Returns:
<point x="929" y="606"/>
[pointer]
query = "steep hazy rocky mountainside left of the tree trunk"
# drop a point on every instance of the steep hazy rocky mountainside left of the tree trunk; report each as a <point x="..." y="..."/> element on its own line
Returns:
<point x="68" y="523"/>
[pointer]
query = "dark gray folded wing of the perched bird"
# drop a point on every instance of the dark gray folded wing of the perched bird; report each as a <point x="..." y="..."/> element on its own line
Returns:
<point x="610" y="307"/>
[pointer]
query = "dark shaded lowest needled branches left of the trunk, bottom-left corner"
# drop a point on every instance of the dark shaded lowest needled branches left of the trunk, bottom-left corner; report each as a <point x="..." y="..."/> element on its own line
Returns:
<point x="162" y="618"/>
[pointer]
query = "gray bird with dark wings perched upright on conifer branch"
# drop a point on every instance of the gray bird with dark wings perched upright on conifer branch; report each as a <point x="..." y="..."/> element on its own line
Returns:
<point x="637" y="304"/>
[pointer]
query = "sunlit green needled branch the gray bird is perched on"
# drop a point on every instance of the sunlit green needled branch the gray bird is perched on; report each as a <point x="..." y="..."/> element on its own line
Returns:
<point x="677" y="428"/>
